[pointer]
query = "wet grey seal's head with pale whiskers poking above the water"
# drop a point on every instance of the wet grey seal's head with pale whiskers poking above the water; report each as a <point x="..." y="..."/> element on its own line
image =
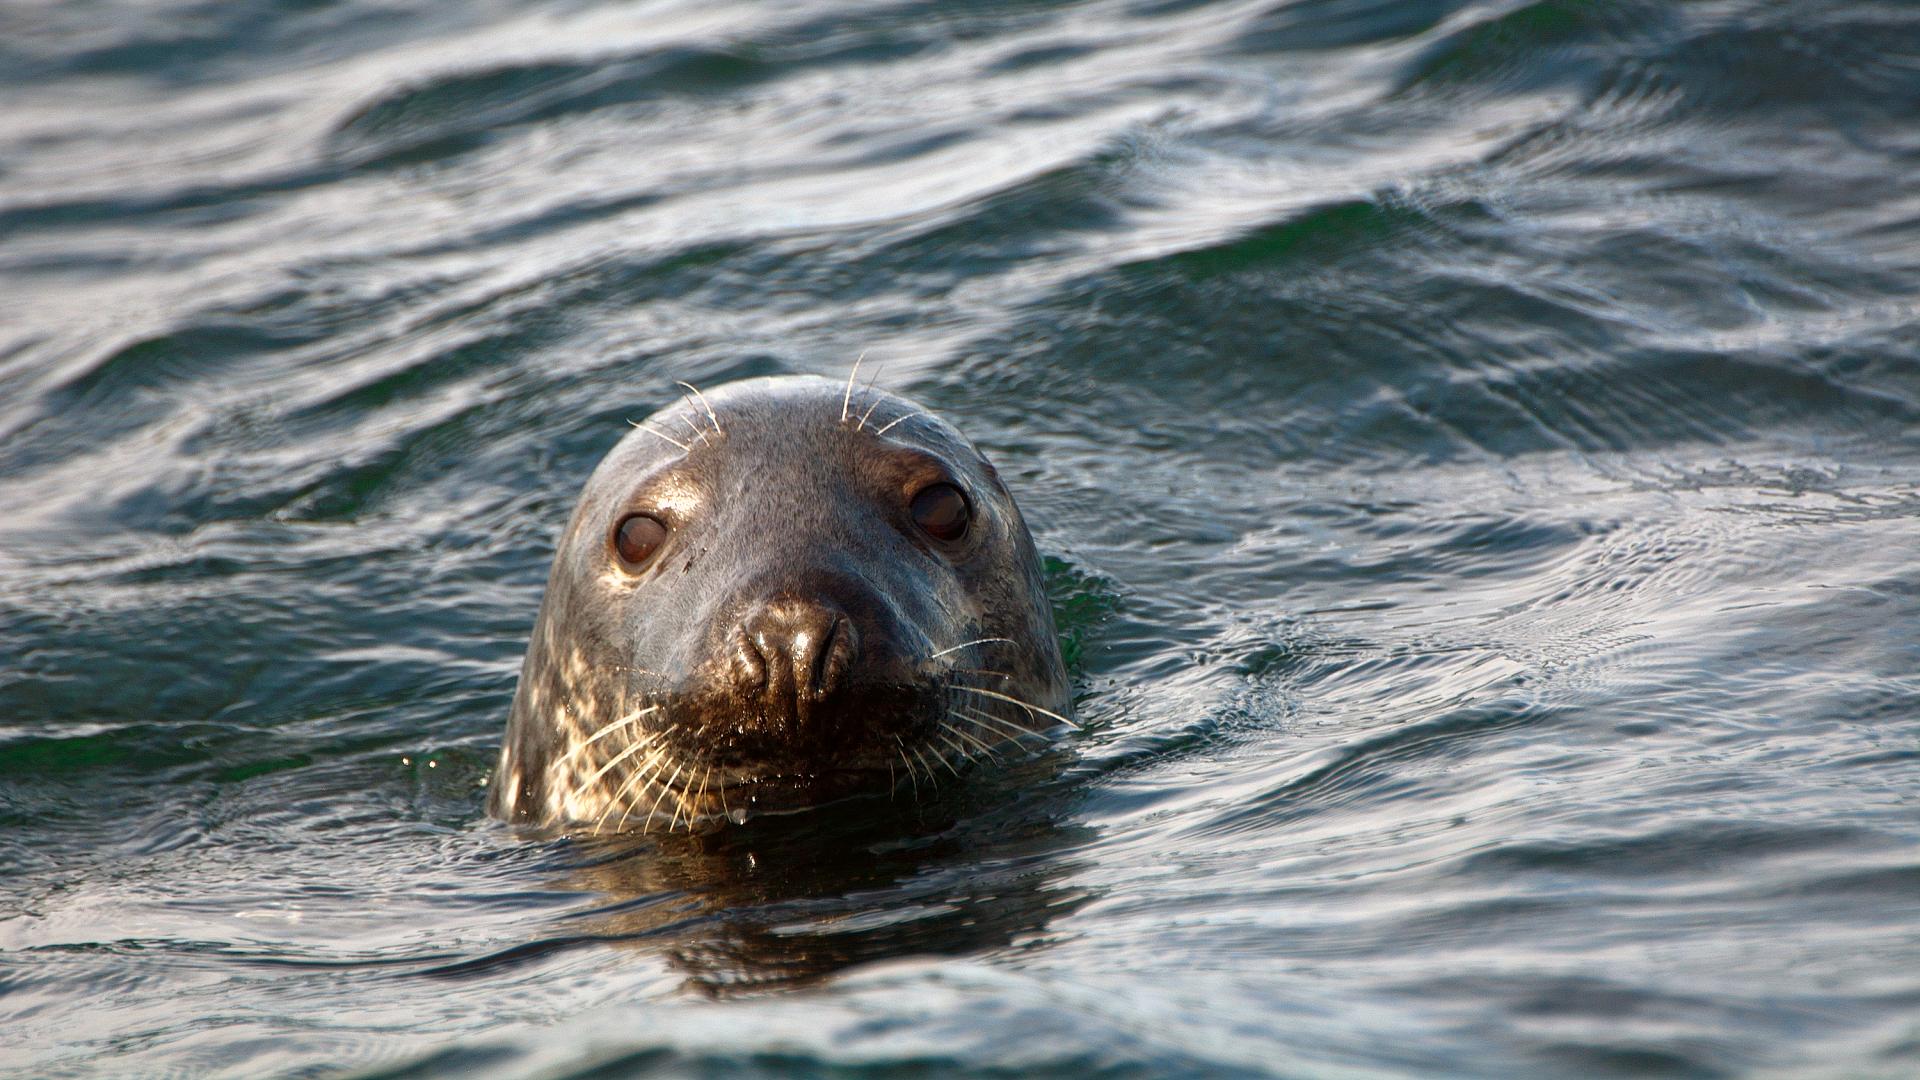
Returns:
<point x="773" y="597"/>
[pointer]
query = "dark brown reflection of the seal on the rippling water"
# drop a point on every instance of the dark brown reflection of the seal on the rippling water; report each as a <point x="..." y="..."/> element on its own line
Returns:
<point x="790" y="900"/>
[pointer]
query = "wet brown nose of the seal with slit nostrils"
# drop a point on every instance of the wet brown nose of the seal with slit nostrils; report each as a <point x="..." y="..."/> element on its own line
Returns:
<point x="794" y="652"/>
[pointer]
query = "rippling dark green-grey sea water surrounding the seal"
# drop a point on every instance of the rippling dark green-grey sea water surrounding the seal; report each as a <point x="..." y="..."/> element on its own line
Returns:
<point x="1476" y="445"/>
